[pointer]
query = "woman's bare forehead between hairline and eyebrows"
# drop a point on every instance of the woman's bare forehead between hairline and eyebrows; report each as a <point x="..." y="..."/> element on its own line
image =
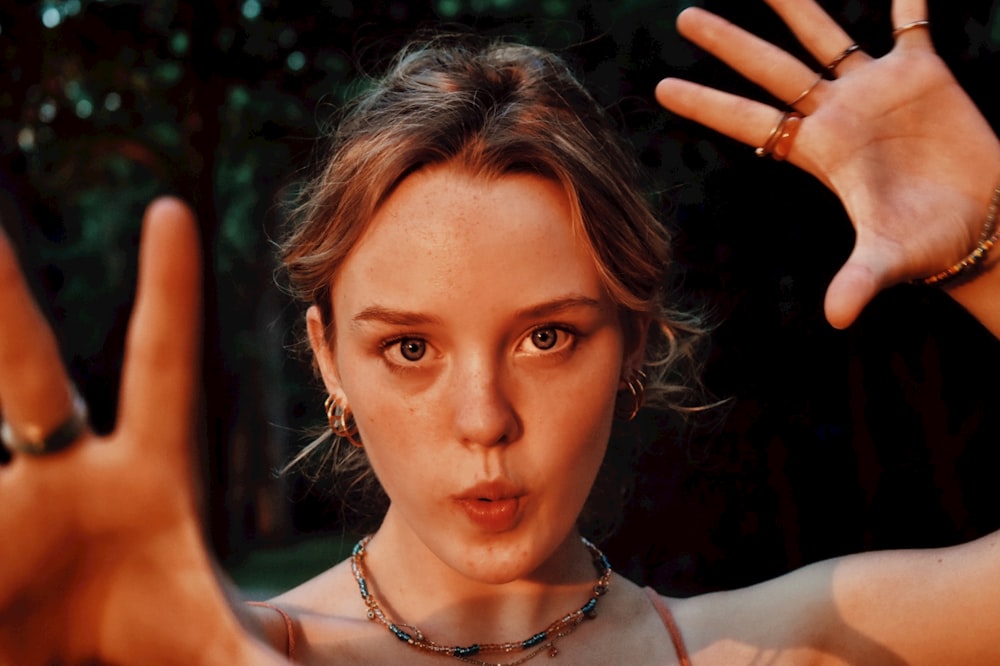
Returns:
<point x="446" y="237"/>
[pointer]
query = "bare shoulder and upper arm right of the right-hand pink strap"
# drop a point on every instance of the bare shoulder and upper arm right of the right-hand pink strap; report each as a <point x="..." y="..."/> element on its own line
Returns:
<point x="888" y="608"/>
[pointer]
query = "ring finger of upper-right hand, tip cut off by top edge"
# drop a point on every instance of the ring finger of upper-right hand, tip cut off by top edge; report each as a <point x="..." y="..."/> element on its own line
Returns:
<point x="819" y="34"/>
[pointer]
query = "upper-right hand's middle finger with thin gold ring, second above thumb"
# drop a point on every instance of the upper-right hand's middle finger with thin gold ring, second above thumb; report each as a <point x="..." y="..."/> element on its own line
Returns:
<point x="770" y="67"/>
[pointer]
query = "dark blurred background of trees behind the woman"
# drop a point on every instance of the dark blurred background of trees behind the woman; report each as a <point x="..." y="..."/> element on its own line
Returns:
<point x="881" y="436"/>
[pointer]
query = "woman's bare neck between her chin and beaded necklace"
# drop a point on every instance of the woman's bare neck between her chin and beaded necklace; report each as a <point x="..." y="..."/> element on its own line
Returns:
<point x="414" y="586"/>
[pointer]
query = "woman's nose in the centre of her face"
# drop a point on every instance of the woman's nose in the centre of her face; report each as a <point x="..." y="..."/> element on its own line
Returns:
<point x="483" y="414"/>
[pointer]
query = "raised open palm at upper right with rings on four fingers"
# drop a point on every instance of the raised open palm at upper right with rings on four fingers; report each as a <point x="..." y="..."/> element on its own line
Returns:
<point x="896" y="138"/>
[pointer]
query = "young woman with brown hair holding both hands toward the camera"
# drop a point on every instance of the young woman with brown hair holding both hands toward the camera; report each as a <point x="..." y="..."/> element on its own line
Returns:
<point x="476" y="333"/>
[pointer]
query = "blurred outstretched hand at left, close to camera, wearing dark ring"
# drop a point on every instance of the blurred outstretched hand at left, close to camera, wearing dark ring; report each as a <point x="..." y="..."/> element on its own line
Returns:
<point x="102" y="549"/>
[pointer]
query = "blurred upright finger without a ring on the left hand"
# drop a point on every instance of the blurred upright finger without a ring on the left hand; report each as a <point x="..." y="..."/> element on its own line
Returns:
<point x="162" y="348"/>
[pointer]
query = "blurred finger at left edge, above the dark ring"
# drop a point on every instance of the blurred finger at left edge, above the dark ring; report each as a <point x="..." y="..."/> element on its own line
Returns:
<point x="35" y="391"/>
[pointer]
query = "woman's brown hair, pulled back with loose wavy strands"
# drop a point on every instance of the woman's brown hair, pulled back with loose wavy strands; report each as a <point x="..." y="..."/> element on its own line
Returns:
<point x="494" y="107"/>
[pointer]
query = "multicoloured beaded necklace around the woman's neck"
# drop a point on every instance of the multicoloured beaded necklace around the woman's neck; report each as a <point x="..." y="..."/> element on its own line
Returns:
<point x="542" y="641"/>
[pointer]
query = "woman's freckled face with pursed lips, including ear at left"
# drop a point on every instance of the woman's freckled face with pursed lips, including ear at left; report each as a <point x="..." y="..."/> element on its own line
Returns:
<point x="480" y="355"/>
